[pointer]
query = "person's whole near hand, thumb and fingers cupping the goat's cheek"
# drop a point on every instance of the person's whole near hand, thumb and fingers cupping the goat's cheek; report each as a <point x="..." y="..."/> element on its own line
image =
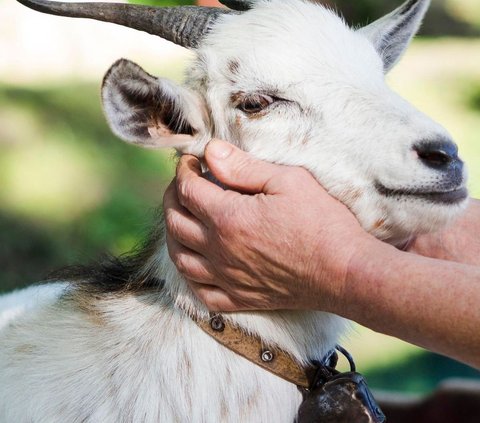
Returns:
<point x="284" y="244"/>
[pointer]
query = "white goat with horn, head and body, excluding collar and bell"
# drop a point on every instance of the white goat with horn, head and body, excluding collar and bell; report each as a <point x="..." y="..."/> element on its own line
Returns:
<point x="289" y="82"/>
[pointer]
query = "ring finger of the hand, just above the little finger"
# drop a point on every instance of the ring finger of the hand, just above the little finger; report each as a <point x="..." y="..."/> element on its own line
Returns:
<point x="191" y="265"/>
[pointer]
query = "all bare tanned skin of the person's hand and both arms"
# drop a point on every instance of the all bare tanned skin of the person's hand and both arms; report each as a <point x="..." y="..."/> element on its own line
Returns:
<point x="286" y="244"/>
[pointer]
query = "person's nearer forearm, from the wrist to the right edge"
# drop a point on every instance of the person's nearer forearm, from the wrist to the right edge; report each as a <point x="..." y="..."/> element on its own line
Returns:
<point x="431" y="303"/>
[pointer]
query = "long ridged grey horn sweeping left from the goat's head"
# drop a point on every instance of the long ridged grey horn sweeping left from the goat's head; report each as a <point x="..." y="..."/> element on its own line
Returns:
<point x="183" y="25"/>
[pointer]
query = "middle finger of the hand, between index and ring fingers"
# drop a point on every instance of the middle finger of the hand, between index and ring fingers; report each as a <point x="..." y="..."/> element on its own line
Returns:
<point x="181" y="224"/>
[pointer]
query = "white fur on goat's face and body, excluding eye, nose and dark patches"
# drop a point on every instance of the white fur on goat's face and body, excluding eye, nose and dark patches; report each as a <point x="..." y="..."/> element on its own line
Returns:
<point x="140" y="358"/>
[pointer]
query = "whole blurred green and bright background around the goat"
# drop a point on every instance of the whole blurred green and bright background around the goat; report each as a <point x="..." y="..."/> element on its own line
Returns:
<point x="69" y="190"/>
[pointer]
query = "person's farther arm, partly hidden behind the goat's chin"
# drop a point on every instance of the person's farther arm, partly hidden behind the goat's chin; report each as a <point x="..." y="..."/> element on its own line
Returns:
<point x="460" y="242"/>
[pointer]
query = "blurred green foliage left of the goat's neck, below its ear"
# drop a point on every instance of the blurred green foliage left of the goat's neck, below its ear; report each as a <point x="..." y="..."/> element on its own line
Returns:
<point x="78" y="191"/>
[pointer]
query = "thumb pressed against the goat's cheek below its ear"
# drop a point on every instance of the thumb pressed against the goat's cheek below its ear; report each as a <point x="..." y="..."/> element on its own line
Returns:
<point x="238" y="169"/>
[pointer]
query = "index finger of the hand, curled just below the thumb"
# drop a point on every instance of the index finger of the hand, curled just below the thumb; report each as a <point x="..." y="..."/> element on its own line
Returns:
<point x="195" y="193"/>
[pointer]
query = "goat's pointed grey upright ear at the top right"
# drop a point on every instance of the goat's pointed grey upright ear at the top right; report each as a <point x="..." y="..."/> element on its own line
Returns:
<point x="392" y="34"/>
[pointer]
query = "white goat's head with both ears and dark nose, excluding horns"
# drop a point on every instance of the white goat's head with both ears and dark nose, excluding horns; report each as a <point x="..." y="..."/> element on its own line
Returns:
<point x="289" y="82"/>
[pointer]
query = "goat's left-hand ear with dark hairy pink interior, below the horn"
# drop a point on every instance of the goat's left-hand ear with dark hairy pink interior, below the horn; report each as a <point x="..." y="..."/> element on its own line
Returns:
<point x="148" y="111"/>
